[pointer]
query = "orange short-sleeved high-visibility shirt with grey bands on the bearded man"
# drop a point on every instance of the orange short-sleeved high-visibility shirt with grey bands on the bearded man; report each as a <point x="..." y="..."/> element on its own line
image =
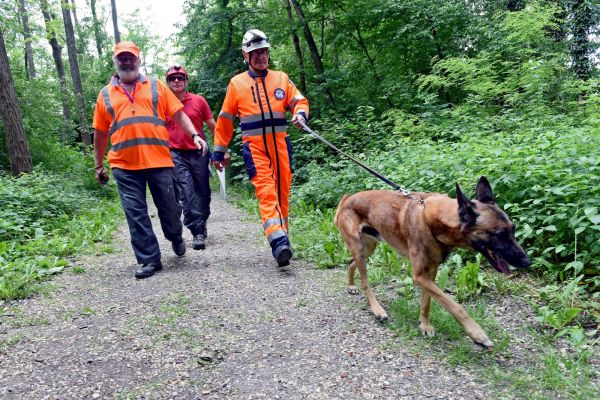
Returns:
<point x="137" y="129"/>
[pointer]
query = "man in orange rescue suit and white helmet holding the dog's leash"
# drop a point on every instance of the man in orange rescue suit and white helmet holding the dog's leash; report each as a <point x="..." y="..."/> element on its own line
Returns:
<point x="260" y="98"/>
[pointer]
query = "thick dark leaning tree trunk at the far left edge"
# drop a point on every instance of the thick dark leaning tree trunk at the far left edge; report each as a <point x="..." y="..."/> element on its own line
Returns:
<point x="16" y="142"/>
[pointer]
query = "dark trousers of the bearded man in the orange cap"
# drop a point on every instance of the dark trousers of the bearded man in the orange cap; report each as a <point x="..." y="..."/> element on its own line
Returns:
<point x="132" y="190"/>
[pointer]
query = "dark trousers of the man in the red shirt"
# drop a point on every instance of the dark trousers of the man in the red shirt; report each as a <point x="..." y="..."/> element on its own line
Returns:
<point x="192" y="176"/>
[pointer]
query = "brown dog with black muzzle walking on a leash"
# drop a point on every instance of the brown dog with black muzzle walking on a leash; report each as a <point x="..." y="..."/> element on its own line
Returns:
<point x="425" y="227"/>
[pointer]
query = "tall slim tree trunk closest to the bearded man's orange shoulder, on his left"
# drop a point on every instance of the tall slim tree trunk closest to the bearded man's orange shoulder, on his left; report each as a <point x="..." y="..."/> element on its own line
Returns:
<point x="75" y="75"/>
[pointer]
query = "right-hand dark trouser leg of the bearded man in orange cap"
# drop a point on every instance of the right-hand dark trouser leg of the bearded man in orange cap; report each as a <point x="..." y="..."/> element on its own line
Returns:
<point x="162" y="188"/>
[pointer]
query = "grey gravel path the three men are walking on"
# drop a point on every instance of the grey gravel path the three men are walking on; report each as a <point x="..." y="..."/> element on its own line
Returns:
<point x="223" y="323"/>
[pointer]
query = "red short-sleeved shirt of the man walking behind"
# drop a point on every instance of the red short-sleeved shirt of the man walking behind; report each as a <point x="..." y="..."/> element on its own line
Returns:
<point x="196" y="107"/>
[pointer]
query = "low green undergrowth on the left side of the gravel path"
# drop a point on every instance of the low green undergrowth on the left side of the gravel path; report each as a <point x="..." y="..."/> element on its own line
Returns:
<point x="45" y="217"/>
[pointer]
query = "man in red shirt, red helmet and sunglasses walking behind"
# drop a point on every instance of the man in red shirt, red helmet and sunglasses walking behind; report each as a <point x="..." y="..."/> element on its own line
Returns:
<point x="191" y="167"/>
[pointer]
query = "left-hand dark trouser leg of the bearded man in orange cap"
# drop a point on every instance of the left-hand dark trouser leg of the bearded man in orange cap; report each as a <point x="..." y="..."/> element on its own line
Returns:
<point x="132" y="190"/>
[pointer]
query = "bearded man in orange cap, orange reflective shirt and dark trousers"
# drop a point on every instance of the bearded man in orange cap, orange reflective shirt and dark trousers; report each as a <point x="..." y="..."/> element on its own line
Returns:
<point x="132" y="109"/>
